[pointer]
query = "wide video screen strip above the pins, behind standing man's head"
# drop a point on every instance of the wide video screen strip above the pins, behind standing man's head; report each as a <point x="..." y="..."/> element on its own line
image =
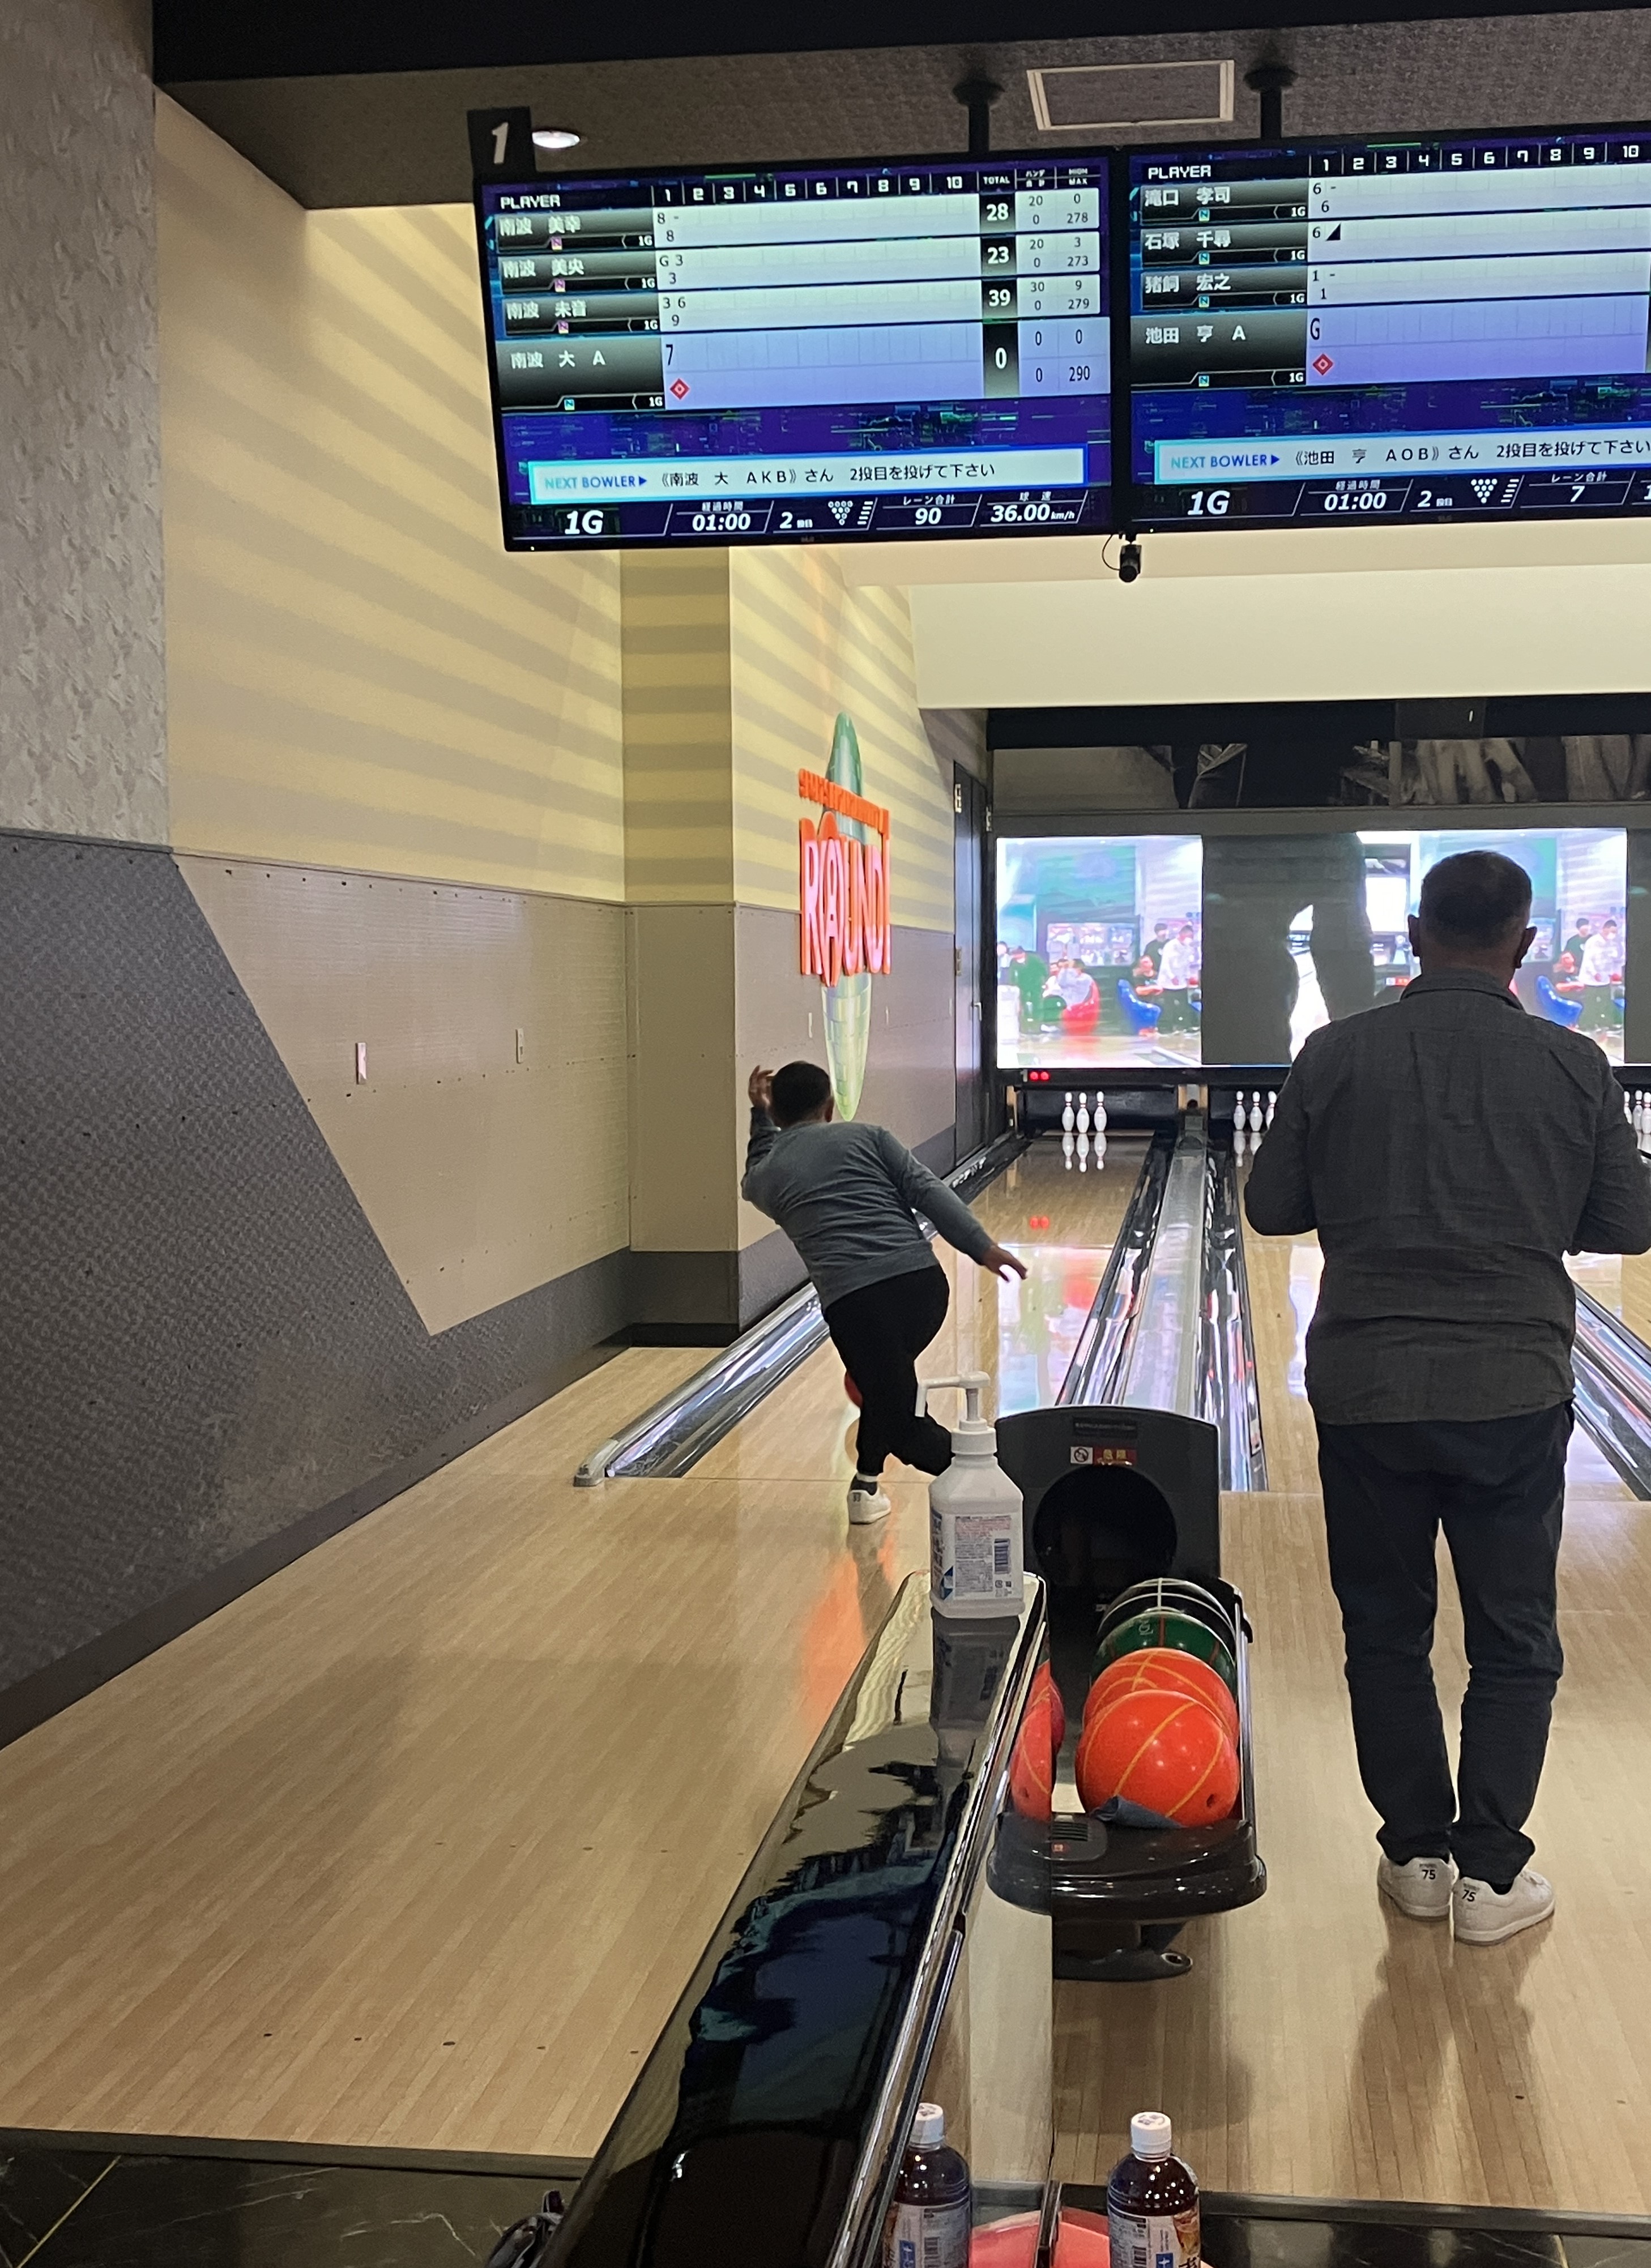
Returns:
<point x="1230" y="949"/>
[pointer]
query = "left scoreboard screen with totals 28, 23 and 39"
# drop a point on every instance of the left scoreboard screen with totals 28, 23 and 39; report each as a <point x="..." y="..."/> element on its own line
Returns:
<point x="793" y="357"/>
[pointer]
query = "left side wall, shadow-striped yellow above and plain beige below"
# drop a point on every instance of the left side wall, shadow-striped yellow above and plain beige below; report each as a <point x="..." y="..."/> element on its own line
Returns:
<point x="396" y="747"/>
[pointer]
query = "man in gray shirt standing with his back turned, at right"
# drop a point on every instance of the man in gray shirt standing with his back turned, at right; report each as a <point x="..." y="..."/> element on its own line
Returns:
<point x="1450" y="1151"/>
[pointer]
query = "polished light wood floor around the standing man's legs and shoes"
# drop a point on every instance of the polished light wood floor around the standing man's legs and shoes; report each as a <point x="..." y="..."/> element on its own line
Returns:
<point x="1323" y="2045"/>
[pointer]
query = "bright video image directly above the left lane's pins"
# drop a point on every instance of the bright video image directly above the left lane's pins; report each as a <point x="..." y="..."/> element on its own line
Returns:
<point x="1099" y="951"/>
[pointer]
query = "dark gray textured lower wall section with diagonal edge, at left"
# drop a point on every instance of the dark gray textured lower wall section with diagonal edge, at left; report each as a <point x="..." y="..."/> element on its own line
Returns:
<point x="203" y="1342"/>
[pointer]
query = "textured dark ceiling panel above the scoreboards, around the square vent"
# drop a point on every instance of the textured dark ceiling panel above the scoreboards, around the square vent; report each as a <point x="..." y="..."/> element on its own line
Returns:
<point x="400" y="137"/>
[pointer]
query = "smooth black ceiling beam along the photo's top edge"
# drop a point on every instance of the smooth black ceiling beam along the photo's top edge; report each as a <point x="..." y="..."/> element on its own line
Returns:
<point x="203" y="40"/>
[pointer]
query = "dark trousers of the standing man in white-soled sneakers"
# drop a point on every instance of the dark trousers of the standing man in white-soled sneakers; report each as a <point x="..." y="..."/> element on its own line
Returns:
<point x="1498" y="1489"/>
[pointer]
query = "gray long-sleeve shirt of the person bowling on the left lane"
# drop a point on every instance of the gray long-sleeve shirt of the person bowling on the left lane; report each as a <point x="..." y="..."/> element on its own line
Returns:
<point x="845" y="1194"/>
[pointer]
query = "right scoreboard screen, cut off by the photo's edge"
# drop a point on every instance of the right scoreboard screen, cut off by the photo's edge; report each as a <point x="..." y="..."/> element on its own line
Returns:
<point x="1389" y="330"/>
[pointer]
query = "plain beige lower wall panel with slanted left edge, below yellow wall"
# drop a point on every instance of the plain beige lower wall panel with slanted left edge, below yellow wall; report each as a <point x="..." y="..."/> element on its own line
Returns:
<point x="482" y="1176"/>
